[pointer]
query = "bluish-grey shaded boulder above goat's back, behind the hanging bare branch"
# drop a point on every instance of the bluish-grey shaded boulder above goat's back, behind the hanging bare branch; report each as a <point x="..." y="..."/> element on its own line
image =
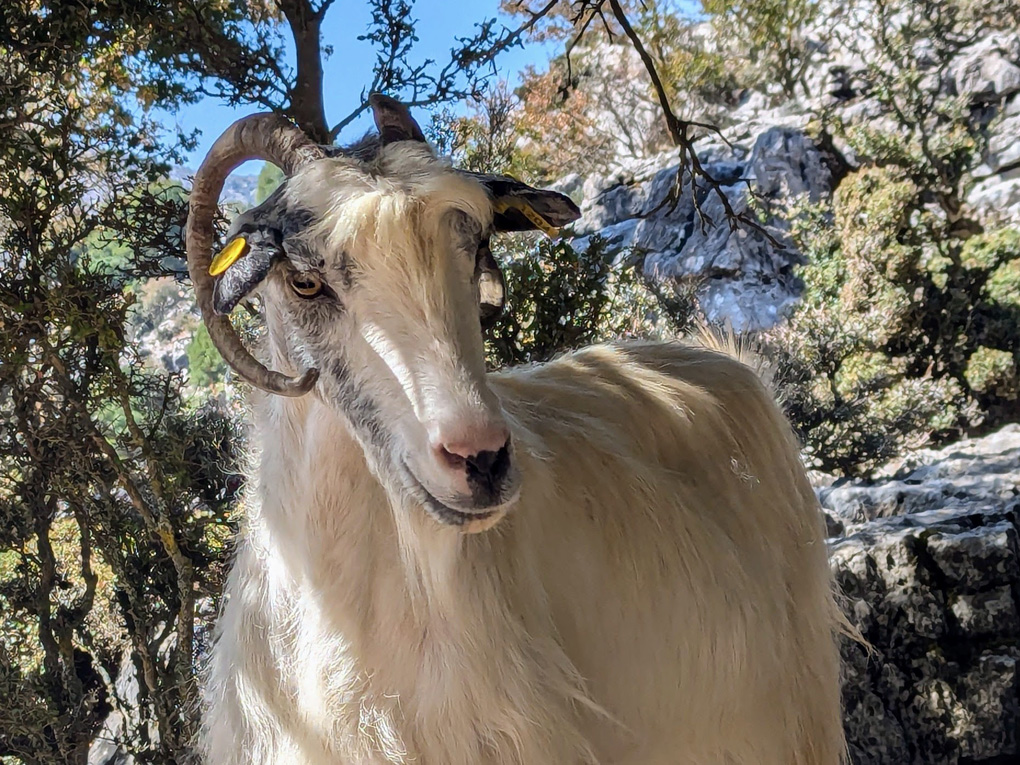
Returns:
<point x="744" y="278"/>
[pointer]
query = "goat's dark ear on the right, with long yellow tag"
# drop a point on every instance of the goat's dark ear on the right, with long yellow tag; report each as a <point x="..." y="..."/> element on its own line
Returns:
<point x="520" y="208"/>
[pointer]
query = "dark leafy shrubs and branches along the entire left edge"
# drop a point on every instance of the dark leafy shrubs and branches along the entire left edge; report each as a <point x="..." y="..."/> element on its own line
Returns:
<point x="115" y="495"/>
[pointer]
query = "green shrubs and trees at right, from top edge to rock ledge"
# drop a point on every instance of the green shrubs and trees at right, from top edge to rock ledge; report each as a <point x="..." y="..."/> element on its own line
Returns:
<point x="909" y="327"/>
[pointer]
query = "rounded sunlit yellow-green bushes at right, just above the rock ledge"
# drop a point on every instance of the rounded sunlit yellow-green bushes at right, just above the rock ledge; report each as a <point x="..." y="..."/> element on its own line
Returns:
<point x="903" y="335"/>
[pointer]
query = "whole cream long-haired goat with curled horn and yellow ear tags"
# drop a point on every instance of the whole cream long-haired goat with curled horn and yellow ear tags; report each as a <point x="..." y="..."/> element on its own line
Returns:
<point x="611" y="558"/>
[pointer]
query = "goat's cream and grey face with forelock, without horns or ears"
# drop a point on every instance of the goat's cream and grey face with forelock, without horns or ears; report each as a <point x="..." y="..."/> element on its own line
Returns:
<point x="379" y="289"/>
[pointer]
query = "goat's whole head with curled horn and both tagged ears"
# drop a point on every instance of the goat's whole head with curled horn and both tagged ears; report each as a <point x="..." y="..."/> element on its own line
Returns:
<point x="376" y="275"/>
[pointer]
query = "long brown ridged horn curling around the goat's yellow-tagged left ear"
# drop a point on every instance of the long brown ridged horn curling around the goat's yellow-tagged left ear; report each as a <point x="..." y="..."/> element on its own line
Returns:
<point x="269" y="137"/>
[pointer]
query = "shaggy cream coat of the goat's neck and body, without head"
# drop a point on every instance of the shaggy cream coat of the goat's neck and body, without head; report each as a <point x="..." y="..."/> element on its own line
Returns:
<point x="658" y="594"/>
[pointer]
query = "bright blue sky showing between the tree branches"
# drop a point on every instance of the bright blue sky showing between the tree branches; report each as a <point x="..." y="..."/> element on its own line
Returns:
<point x="349" y="69"/>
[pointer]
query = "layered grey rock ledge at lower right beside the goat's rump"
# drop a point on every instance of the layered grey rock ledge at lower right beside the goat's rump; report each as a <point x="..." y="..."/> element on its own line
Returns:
<point x="928" y="563"/>
